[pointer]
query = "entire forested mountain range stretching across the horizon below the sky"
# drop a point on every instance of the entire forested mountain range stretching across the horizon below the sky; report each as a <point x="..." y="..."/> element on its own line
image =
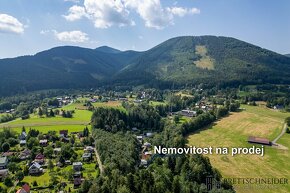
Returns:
<point x="181" y="60"/>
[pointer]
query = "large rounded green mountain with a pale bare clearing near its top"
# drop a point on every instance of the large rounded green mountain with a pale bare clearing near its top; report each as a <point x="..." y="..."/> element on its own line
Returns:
<point x="207" y="59"/>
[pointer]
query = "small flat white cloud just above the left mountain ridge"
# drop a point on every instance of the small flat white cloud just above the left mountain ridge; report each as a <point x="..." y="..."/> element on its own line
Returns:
<point x="71" y="36"/>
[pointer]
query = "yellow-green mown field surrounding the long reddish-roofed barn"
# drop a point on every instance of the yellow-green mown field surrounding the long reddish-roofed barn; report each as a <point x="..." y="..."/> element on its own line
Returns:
<point x="233" y="131"/>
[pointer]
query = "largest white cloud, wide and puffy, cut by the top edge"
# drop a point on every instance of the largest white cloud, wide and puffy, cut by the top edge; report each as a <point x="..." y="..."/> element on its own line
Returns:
<point x="107" y="13"/>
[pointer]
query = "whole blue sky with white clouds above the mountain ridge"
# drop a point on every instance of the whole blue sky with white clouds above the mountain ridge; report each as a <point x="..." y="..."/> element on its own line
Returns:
<point x="30" y="26"/>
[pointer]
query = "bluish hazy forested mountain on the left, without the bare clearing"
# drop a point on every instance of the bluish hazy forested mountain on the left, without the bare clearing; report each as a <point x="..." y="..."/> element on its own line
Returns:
<point x="60" y="67"/>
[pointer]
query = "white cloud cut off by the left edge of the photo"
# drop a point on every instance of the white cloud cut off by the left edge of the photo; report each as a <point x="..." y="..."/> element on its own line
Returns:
<point x="9" y="24"/>
